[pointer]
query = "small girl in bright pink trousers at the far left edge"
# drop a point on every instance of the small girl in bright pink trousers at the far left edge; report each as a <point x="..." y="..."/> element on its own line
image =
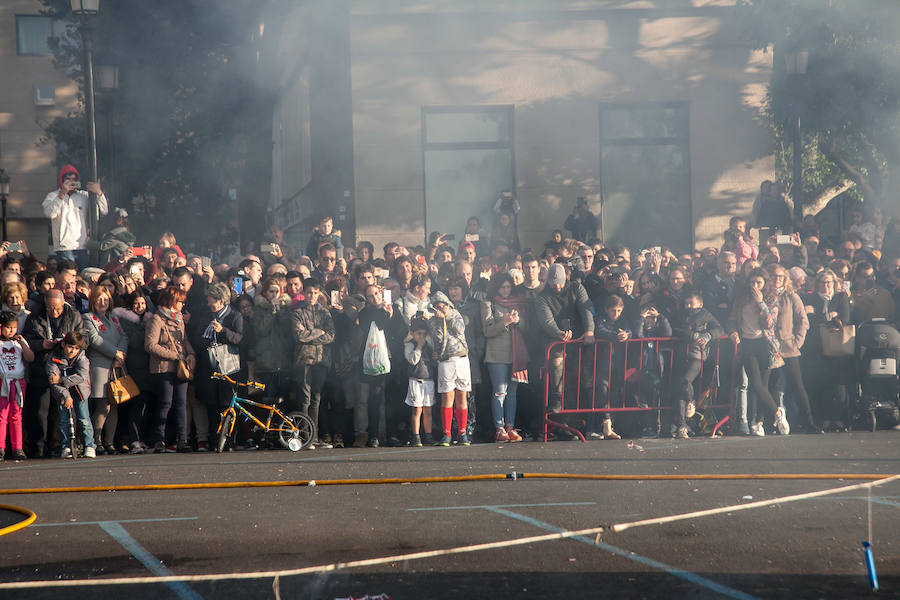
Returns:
<point x="14" y="353"/>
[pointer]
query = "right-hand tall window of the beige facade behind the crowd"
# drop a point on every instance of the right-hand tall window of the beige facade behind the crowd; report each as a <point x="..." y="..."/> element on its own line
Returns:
<point x="645" y="174"/>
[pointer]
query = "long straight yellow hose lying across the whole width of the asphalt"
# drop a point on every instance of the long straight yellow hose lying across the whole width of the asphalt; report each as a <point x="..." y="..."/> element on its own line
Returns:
<point x="448" y="479"/>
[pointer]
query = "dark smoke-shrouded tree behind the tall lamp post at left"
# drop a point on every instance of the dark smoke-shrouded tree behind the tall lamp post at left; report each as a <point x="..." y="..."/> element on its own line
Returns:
<point x="187" y="102"/>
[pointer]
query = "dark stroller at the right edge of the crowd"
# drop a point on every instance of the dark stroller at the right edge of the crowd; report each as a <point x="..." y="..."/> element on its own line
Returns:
<point x="877" y="353"/>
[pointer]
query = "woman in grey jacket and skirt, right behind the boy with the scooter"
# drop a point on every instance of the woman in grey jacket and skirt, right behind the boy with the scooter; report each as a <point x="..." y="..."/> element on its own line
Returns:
<point x="106" y="349"/>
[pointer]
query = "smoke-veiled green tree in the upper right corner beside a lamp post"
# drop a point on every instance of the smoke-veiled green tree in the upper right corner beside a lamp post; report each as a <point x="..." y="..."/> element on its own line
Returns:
<point x="848" y="102"/>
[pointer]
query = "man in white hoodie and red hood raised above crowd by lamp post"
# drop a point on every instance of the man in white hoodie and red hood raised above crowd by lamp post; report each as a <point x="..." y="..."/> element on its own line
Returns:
<point x="68" y="209"/>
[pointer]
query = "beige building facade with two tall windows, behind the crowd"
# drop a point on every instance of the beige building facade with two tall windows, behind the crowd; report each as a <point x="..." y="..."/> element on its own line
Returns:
<point x="652" y="111"/>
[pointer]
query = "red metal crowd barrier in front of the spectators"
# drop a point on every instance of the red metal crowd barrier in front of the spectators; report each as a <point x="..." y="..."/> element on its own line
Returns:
<point x="615" y="377"/>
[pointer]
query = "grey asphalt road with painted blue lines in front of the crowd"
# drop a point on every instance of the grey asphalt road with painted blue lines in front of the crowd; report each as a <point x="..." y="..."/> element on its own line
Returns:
<point x="805" y="549"/>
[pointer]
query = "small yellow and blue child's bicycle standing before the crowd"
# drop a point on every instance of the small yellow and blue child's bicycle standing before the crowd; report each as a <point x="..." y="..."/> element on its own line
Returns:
<point x="295" y="431"/>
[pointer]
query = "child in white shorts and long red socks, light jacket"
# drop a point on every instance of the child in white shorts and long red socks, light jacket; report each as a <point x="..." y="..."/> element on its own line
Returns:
<point x="448" y="332"/>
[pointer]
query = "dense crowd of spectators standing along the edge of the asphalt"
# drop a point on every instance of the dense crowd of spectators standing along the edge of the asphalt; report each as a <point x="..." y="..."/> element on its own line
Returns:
<point x="435" y="344"/>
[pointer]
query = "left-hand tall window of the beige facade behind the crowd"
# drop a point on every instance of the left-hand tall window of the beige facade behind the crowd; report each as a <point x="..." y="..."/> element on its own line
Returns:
<point x="468" y="160"/>
